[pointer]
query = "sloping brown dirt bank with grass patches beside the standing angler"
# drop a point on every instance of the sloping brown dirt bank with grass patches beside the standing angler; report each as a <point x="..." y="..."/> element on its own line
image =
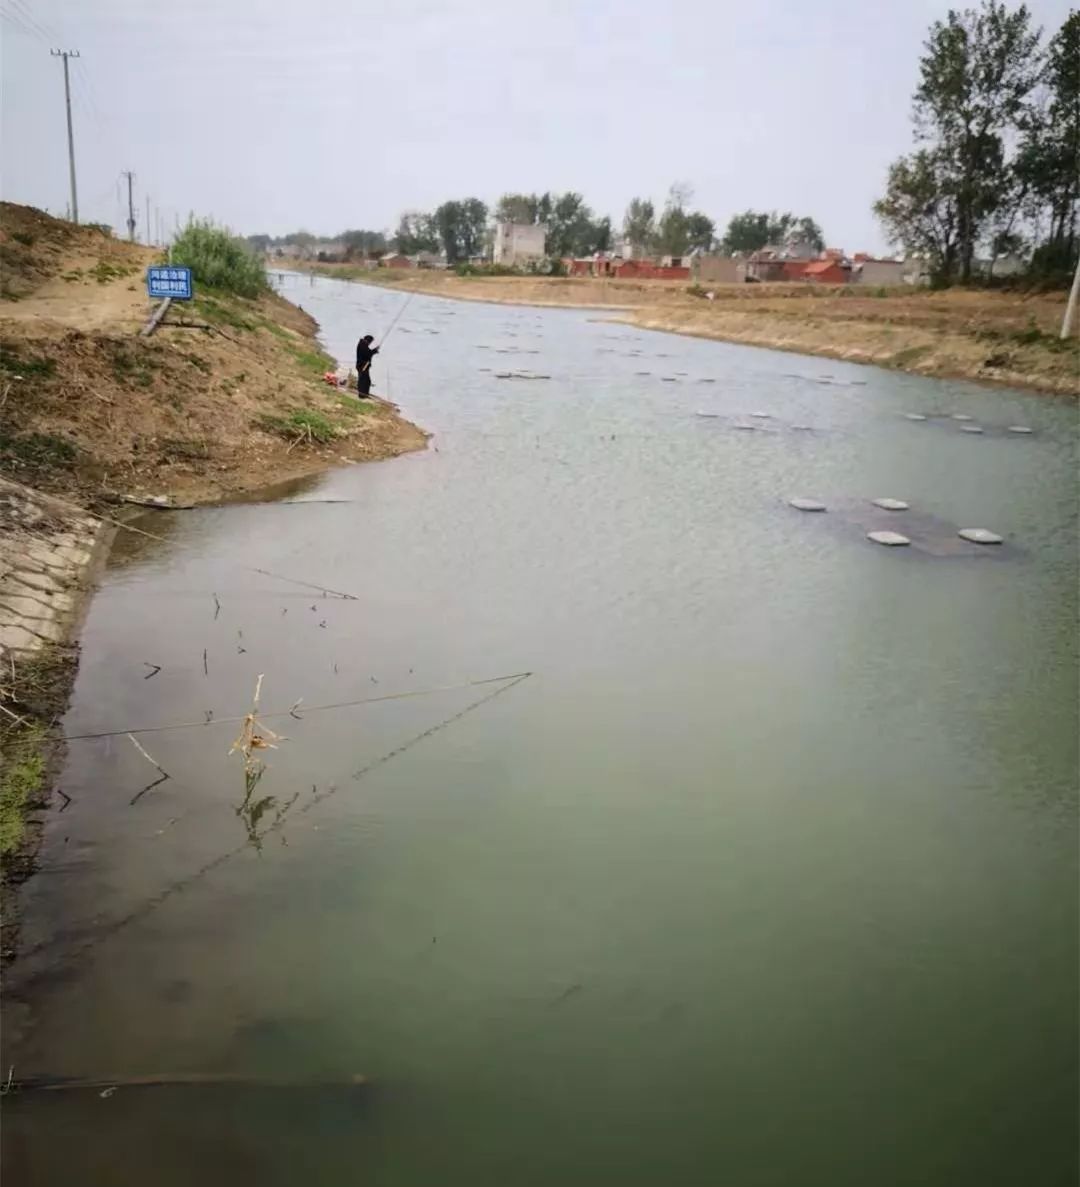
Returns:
<point x="227" y="396"/>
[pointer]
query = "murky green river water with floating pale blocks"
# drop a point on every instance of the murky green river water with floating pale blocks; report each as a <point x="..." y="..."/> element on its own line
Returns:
<point x="767" y="874"/>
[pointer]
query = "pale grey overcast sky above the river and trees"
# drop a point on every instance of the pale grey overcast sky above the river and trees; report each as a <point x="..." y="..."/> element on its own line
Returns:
<point x="325" y="115"/>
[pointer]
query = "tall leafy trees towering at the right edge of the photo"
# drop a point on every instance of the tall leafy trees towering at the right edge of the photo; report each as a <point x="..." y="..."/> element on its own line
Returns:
<point x="996" y="117"/>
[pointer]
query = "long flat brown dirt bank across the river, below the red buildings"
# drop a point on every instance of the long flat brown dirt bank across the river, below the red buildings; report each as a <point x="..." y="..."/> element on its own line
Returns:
<point x="988" y="335"/>
